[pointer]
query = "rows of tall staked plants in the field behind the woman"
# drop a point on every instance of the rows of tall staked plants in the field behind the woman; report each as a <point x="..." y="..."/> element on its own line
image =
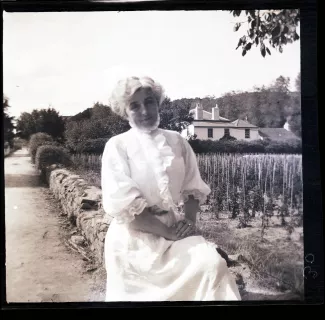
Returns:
<point x="241" y="185"/>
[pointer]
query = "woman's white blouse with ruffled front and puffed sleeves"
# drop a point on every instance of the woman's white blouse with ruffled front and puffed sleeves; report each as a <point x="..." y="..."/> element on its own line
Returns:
<point x="145" y="169"/>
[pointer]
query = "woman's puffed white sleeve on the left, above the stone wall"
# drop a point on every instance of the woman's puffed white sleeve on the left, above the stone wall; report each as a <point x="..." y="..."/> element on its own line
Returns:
<point x="121" y="197"/>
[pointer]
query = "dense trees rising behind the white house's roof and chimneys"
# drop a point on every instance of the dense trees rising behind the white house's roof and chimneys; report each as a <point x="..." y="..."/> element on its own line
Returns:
<point x="265" y="107"/>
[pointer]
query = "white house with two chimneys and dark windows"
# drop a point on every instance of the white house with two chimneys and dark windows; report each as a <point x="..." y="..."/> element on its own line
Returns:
<point x="209" y="125"/>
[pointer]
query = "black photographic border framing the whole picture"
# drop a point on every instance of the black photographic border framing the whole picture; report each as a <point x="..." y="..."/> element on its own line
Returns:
<point x="312" y="196"/>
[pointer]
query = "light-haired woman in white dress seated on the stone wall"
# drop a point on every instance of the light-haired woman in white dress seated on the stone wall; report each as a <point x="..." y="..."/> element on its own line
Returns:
<point x="151" y="252"/>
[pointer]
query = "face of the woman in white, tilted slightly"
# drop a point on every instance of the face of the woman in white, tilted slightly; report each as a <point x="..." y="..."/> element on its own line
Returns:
<point x="142" y="109"/>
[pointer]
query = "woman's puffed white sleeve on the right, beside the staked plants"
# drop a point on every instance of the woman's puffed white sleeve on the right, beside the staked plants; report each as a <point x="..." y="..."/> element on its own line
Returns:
<point x="193" y="183"/>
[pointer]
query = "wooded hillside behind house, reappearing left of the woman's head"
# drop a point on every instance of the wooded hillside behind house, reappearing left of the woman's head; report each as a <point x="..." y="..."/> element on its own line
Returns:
<point x="264" y="108"/>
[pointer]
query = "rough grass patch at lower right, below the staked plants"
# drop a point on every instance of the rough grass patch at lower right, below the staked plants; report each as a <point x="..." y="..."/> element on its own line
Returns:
<point x="275" y="264"/>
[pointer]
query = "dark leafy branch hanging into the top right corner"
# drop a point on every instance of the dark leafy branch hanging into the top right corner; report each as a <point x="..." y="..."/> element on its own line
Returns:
<point x="275" y="27"/>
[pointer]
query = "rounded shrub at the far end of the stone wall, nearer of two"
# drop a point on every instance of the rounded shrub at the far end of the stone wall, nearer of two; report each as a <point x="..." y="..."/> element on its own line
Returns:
<point x="47" y="155"/>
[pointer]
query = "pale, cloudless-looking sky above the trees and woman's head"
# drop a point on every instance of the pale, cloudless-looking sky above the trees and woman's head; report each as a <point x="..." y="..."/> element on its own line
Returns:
<point x="70" y="60"/>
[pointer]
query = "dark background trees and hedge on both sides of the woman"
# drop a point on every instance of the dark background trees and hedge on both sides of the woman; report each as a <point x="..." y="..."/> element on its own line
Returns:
<point x="268" y="107"/>
